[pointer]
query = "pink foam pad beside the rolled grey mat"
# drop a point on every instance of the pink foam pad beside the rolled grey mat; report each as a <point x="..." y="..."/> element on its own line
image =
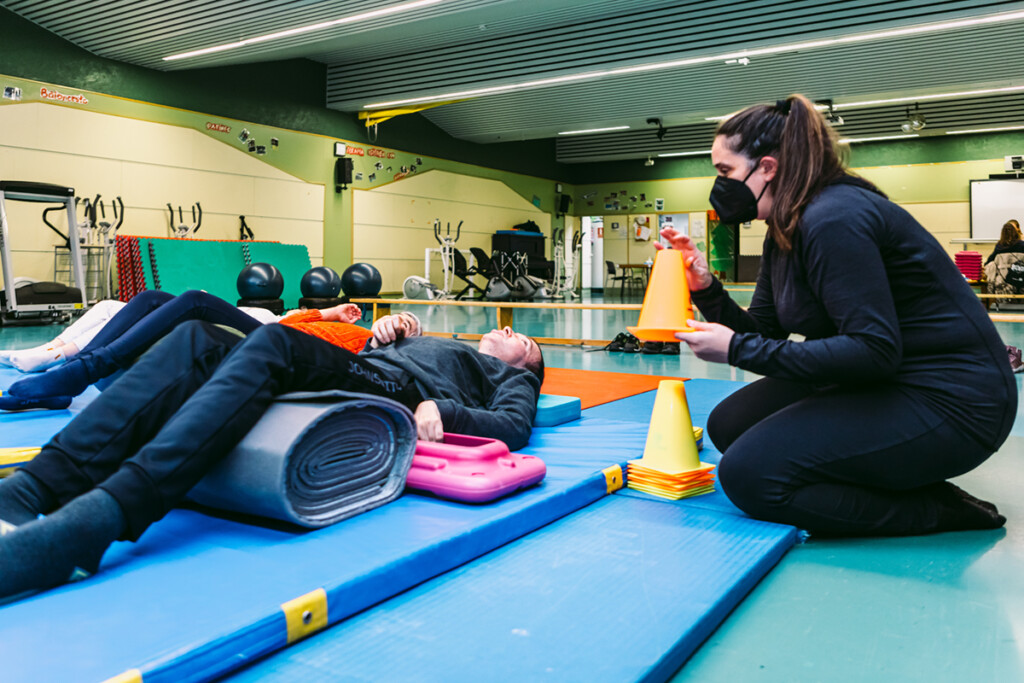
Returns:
<point x="472" y="469"/>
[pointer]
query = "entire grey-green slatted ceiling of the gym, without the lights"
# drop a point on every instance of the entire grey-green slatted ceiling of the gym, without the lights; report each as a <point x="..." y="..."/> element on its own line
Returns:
<point x="458" y="46"/>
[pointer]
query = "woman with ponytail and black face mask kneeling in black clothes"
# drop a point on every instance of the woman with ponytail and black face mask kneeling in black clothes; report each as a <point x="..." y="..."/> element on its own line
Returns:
<point x="902" y="382"/>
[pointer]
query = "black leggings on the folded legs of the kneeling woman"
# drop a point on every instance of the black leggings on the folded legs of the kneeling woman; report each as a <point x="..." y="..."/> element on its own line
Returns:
<point x="838" y="461"/>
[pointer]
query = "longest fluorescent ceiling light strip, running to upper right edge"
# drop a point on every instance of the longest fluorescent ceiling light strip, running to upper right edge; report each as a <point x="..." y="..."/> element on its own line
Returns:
<point x="641" y="69"/>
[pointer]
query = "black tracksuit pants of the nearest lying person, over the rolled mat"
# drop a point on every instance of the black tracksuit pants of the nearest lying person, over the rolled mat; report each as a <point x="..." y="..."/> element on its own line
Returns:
<point x="155" y="433"/>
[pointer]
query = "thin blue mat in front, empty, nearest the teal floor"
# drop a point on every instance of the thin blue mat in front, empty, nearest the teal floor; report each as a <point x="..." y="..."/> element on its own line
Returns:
<point x="624" y="590"/>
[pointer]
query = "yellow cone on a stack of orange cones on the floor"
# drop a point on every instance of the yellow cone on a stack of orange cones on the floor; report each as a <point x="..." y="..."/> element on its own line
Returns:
<point x="671" y="465"/>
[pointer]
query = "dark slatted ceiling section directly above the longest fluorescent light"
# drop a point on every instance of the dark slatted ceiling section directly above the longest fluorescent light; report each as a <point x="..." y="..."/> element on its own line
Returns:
<point x="655" y="34"/>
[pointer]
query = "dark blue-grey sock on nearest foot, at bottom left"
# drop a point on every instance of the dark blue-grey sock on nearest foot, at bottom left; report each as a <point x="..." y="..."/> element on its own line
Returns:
<point x="65" y="546"/>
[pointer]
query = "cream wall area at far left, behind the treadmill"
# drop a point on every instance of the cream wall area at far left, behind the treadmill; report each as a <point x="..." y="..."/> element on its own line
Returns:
<point x="148" y="165"/>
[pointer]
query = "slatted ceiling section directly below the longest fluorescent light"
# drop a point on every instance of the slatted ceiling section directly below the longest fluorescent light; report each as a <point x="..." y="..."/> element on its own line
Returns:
<point x="847" y="74"/>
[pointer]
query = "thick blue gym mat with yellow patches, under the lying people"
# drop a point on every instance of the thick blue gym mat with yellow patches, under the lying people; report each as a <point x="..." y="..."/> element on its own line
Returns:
<point x="200" y="595"/>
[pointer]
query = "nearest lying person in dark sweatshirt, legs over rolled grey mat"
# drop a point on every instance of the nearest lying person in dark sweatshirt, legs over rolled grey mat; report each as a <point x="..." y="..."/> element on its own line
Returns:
<point x="136" y="451"/>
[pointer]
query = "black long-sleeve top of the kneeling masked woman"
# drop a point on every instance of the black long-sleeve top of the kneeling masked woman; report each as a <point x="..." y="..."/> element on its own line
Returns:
<point x="879" y="302"/>
